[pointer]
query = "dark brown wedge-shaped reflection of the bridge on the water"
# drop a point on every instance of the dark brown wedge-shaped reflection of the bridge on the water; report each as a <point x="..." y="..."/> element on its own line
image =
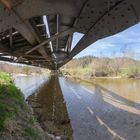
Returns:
<point x="49" y="107"/>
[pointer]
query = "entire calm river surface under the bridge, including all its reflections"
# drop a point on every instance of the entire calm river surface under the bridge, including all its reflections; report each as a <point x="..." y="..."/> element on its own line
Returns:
<point x="102" y="109"/>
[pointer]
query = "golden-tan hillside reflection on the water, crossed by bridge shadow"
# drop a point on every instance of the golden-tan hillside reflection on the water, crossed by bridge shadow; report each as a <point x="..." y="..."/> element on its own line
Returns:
<point x="125" y="91"/>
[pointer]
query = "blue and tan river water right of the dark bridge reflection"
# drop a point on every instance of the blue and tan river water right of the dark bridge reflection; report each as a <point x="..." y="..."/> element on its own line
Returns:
<point x="106" y="111"/>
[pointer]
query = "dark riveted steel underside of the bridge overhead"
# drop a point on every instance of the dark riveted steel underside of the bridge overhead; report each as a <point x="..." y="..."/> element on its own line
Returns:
<point x="40" y="32"/>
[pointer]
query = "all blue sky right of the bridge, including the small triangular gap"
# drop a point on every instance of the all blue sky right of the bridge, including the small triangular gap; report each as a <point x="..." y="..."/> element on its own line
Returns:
<point x="127" y="41"/>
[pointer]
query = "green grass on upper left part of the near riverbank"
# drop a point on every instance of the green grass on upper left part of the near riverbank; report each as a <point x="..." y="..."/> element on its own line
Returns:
<point x="10" y="96"/>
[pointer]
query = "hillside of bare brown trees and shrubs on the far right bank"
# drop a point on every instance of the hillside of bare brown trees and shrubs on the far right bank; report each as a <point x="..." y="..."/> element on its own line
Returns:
<point x="102" y="67"/>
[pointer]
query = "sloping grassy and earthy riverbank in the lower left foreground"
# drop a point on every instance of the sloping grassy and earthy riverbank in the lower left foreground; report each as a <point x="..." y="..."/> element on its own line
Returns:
<point x="16" y="119"/>
